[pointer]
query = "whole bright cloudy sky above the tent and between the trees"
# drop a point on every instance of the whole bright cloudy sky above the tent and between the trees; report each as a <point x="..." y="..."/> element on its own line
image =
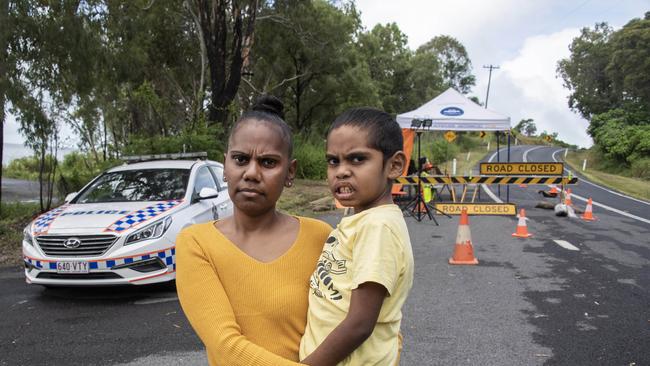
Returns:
<point x="525" y="39"/>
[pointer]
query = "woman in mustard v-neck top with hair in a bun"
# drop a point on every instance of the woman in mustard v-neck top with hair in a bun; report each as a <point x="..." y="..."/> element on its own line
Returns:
<point x="243" y="281"/>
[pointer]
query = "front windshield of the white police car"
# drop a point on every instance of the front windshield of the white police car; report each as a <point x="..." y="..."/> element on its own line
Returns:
<point x="137" y="185"/>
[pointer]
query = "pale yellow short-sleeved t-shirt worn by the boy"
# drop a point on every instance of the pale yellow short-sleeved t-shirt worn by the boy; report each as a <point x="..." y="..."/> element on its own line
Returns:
<point x="371" y="246"/>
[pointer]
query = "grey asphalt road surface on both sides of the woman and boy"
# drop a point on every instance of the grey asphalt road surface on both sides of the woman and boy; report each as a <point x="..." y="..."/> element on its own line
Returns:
<point x="528" y="302"/>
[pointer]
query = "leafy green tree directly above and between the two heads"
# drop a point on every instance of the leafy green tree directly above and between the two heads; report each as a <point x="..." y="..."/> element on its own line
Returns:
<point x="305" y="54"/>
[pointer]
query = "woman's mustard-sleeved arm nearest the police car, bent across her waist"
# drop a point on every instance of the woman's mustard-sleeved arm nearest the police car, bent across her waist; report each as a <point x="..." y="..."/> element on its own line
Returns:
<point x="208" y="309"/>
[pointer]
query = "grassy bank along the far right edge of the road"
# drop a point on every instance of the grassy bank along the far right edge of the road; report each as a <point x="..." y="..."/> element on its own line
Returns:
<point x="634" y="187"/>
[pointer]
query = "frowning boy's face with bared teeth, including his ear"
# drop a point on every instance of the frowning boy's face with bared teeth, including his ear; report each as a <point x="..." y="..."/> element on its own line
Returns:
<point x="356" y="173"/>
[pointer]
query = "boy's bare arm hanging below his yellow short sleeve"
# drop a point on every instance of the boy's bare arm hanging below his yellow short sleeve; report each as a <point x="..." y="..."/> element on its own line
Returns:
<point x="365" y="304"/>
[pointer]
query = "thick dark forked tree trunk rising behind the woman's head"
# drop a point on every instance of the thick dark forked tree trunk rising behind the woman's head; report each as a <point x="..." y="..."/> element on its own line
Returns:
<point x="220" y="22"/>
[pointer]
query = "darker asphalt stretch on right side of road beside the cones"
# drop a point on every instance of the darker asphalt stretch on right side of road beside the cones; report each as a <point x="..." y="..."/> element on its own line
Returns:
<point x="599" y="309"/>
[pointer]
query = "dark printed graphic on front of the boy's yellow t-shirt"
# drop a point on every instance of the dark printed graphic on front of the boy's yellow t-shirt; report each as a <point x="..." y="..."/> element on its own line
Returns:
<point x="322" y="280"/>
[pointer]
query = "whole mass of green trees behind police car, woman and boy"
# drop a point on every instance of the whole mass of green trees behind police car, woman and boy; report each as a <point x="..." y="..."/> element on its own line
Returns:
<point x="146" y="76"/>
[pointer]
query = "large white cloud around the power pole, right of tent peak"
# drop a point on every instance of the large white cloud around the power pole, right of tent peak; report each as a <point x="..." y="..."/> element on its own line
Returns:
<point x="527" y="87"/>
